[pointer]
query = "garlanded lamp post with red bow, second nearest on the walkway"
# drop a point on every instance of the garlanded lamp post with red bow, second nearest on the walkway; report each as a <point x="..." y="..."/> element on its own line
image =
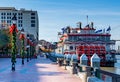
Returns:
<point x="22" y="37"/>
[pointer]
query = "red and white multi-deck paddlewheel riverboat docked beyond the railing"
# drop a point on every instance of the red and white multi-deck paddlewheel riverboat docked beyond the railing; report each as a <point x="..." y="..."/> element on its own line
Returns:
<point x="87" y="40"/>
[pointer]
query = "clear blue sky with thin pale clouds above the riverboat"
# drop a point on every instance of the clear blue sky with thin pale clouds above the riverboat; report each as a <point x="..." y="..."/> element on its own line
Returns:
<point x="56" y="14"/>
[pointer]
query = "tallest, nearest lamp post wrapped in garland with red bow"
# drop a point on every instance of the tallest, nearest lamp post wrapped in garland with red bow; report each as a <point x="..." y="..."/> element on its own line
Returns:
<point x="13" y="31"/>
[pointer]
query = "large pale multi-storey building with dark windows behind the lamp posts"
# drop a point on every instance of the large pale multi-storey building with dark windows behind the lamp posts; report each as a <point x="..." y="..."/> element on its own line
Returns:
<point x="27" y="19"/>
